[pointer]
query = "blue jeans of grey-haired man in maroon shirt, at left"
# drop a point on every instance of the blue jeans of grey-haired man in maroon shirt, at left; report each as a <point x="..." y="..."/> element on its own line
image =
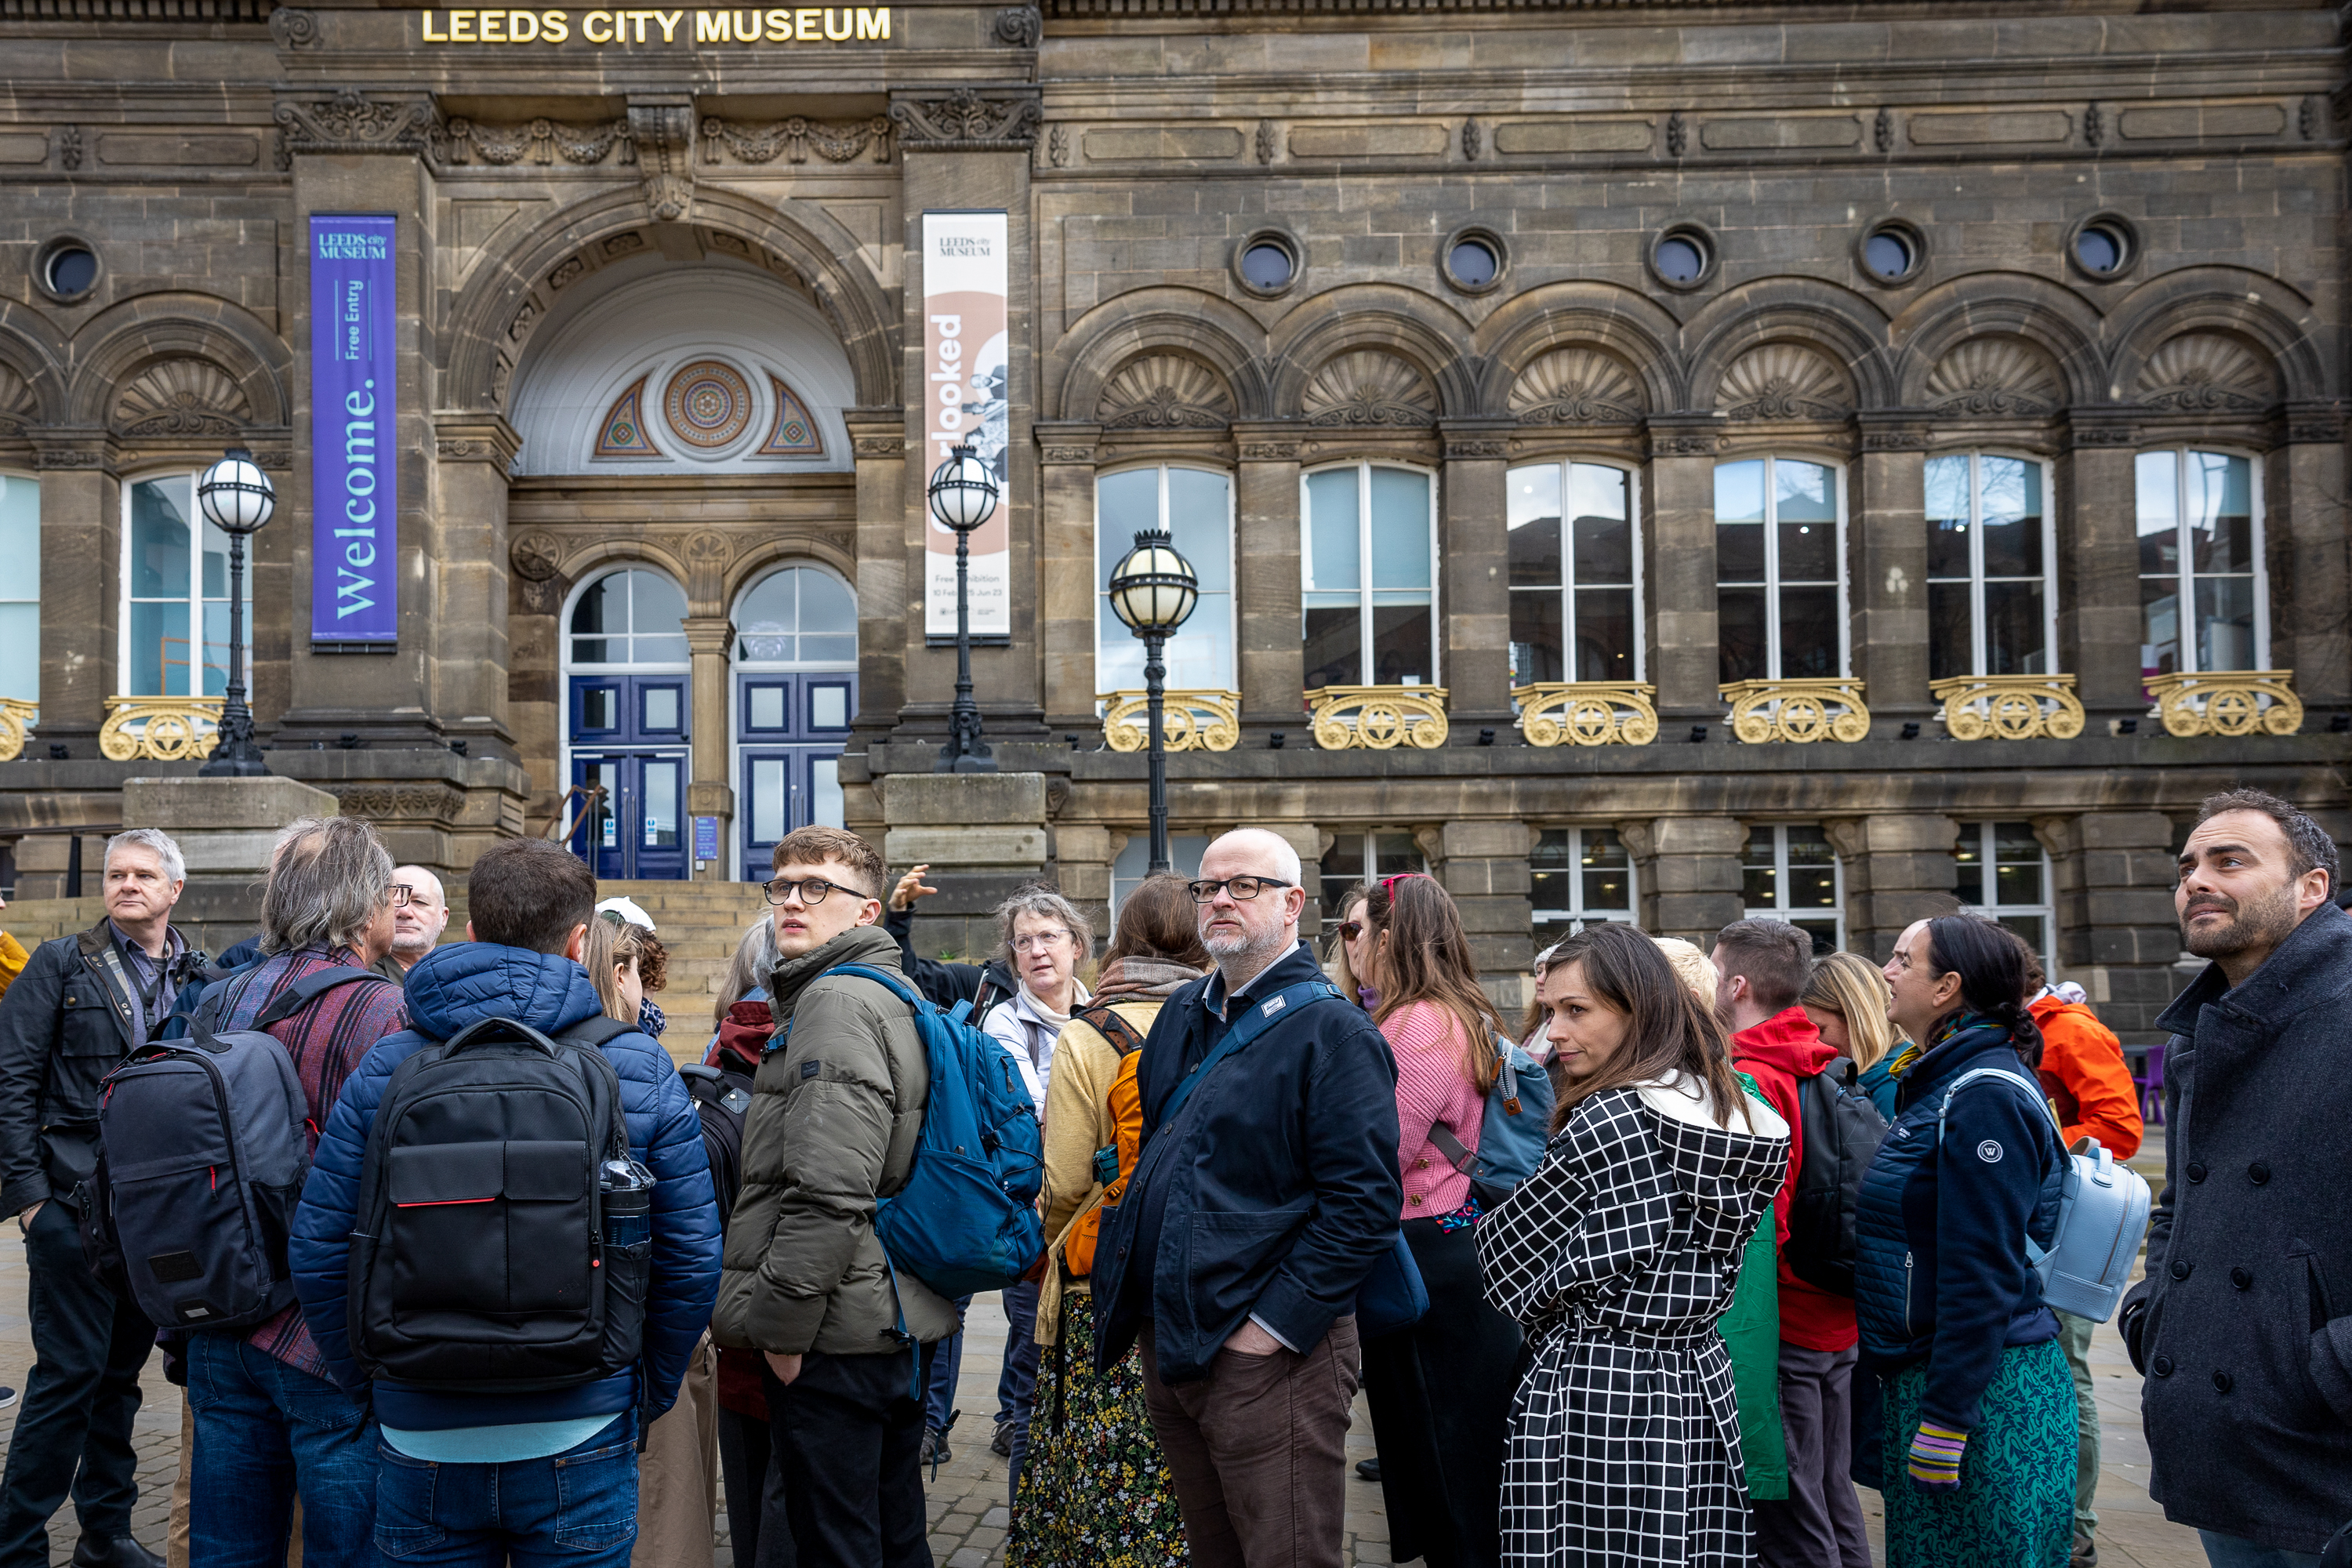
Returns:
<point x="265" y="1435"/>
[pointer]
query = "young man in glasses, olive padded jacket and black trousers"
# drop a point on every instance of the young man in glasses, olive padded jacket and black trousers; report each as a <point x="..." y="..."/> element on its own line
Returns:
<point x="836" y="1115"/>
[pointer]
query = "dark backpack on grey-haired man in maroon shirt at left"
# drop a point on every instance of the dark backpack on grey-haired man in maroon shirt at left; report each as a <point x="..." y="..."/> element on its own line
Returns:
<point x="203" y="1155"/>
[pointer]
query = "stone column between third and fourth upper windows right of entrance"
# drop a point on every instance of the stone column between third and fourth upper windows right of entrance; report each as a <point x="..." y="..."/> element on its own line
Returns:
<point x="1678" y="570"/>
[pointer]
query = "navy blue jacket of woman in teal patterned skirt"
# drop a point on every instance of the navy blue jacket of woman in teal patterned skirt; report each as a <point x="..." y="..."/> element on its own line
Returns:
<point x="1942" y="1228"/>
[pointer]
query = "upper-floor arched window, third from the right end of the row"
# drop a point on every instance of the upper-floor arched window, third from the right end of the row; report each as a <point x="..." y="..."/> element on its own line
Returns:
<point x="1779" y="570"/>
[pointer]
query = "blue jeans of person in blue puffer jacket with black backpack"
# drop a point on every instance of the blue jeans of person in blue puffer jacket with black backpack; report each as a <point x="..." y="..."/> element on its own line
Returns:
<point x="575" y="1508"/>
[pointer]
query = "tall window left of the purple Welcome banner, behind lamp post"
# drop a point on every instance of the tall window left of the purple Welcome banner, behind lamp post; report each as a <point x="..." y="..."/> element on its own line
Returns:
<point x="175" y="587"/>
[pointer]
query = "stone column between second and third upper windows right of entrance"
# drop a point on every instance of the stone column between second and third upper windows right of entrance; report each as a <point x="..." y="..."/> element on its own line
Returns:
<point x="1474" y="584"/>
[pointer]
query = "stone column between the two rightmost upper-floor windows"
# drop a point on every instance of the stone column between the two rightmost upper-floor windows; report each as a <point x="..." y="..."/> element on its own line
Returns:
<point x="2099" y="568"/>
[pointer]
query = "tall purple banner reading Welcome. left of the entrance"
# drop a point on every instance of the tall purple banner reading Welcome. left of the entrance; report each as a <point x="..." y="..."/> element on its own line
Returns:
<point x="354" y="457"/>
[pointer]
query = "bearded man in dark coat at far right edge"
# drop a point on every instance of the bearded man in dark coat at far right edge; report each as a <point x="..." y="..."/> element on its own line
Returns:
<point x="2245" y="1320"/>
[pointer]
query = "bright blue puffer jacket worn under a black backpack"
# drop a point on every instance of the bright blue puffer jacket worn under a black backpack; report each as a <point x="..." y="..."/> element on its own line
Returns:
<point x="448" y="991"/>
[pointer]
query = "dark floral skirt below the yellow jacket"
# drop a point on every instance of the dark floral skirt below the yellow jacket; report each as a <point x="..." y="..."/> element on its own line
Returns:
<point x="1095" y="1487"/>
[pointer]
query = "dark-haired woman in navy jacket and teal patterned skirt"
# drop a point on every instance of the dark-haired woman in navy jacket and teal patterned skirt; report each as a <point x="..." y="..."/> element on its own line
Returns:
<point x="1979" y="1409"/>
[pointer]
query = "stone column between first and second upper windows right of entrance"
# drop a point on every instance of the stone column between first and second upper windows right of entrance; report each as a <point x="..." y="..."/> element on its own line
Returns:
<point x="1274" y="659"/>
